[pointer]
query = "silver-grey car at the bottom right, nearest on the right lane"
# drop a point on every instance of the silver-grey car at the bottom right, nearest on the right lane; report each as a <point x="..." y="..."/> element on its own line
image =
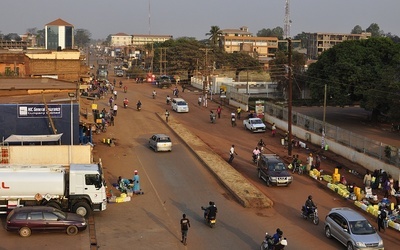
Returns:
<point x="351" y="229"/>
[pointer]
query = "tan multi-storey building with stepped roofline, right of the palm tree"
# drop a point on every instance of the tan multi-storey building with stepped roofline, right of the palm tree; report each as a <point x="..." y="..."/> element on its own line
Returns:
<point x="241" y="40"/>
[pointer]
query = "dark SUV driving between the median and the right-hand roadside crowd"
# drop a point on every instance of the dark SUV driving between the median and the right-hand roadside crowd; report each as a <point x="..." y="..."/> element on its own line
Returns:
<point x="273" y="171"/>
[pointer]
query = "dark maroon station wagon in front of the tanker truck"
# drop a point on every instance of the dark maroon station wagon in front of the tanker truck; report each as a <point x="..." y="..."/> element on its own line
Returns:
<point x="41" y="218"/>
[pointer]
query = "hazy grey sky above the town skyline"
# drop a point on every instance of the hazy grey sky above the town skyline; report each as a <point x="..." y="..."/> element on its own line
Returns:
<point x="194" y="18"/>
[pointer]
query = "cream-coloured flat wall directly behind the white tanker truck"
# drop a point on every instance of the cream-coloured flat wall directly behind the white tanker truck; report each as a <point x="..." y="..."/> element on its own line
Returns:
<point x="52" y="154"/>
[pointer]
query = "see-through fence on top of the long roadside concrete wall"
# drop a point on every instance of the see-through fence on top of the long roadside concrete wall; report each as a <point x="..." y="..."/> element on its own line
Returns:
<point x="384" y="152"/>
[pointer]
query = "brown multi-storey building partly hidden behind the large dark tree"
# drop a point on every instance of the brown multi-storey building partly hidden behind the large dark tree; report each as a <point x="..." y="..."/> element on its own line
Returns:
<point x="319" y="42"/>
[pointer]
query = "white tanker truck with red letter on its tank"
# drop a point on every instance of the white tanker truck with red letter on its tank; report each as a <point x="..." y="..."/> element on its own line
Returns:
<point x="79" y="188"/>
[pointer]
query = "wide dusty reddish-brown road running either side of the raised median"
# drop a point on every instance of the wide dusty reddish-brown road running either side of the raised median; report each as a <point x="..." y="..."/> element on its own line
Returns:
<point x="176" y="182"/>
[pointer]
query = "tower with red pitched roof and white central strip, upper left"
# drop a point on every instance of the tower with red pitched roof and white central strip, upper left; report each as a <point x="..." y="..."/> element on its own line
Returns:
<point x="59" y="35"/>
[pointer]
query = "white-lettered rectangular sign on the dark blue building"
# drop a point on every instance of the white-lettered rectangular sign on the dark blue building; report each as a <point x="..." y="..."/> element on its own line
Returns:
<point x="39" y="111"/>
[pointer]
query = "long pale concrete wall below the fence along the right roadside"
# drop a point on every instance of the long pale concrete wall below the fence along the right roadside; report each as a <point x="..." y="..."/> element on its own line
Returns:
<point x="367" y="162"/>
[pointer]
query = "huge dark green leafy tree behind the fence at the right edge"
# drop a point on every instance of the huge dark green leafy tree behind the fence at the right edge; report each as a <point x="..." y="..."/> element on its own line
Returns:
<point x="364" y="71"/>
